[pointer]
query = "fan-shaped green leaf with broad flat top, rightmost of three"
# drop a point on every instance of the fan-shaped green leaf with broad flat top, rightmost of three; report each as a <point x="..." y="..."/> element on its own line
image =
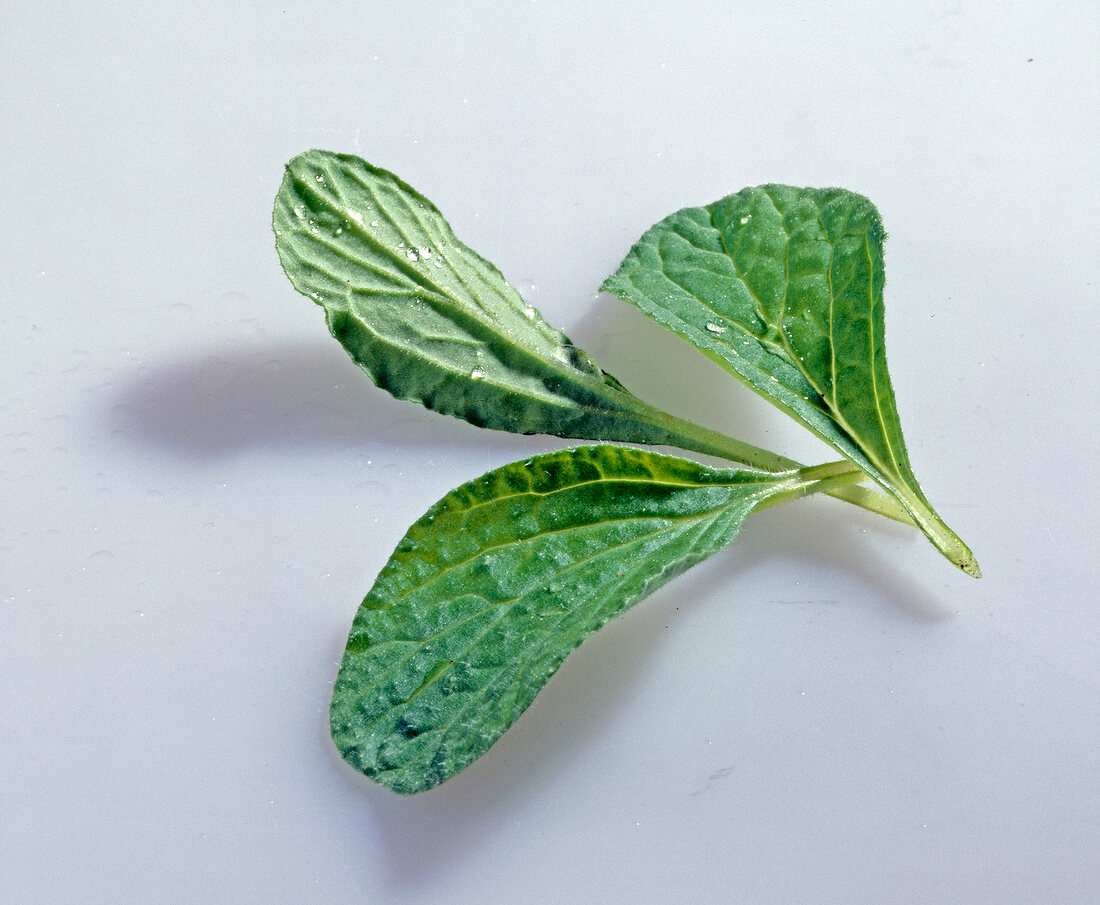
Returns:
<point x="783" y="288"/>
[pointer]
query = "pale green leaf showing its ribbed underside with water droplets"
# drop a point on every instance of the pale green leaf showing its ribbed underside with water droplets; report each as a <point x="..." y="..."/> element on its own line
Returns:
<point x="433" y="322"/>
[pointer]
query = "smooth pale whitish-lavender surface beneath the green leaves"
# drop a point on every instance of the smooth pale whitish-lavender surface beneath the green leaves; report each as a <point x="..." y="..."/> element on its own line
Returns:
<point x="199" y="487"/>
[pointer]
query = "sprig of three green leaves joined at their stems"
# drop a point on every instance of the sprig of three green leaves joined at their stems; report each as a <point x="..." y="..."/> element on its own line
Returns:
<point x="491" y="590"/>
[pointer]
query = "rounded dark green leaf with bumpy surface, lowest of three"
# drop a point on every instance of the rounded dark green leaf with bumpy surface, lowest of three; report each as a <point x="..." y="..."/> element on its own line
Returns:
<point x="491" y="590"/>
